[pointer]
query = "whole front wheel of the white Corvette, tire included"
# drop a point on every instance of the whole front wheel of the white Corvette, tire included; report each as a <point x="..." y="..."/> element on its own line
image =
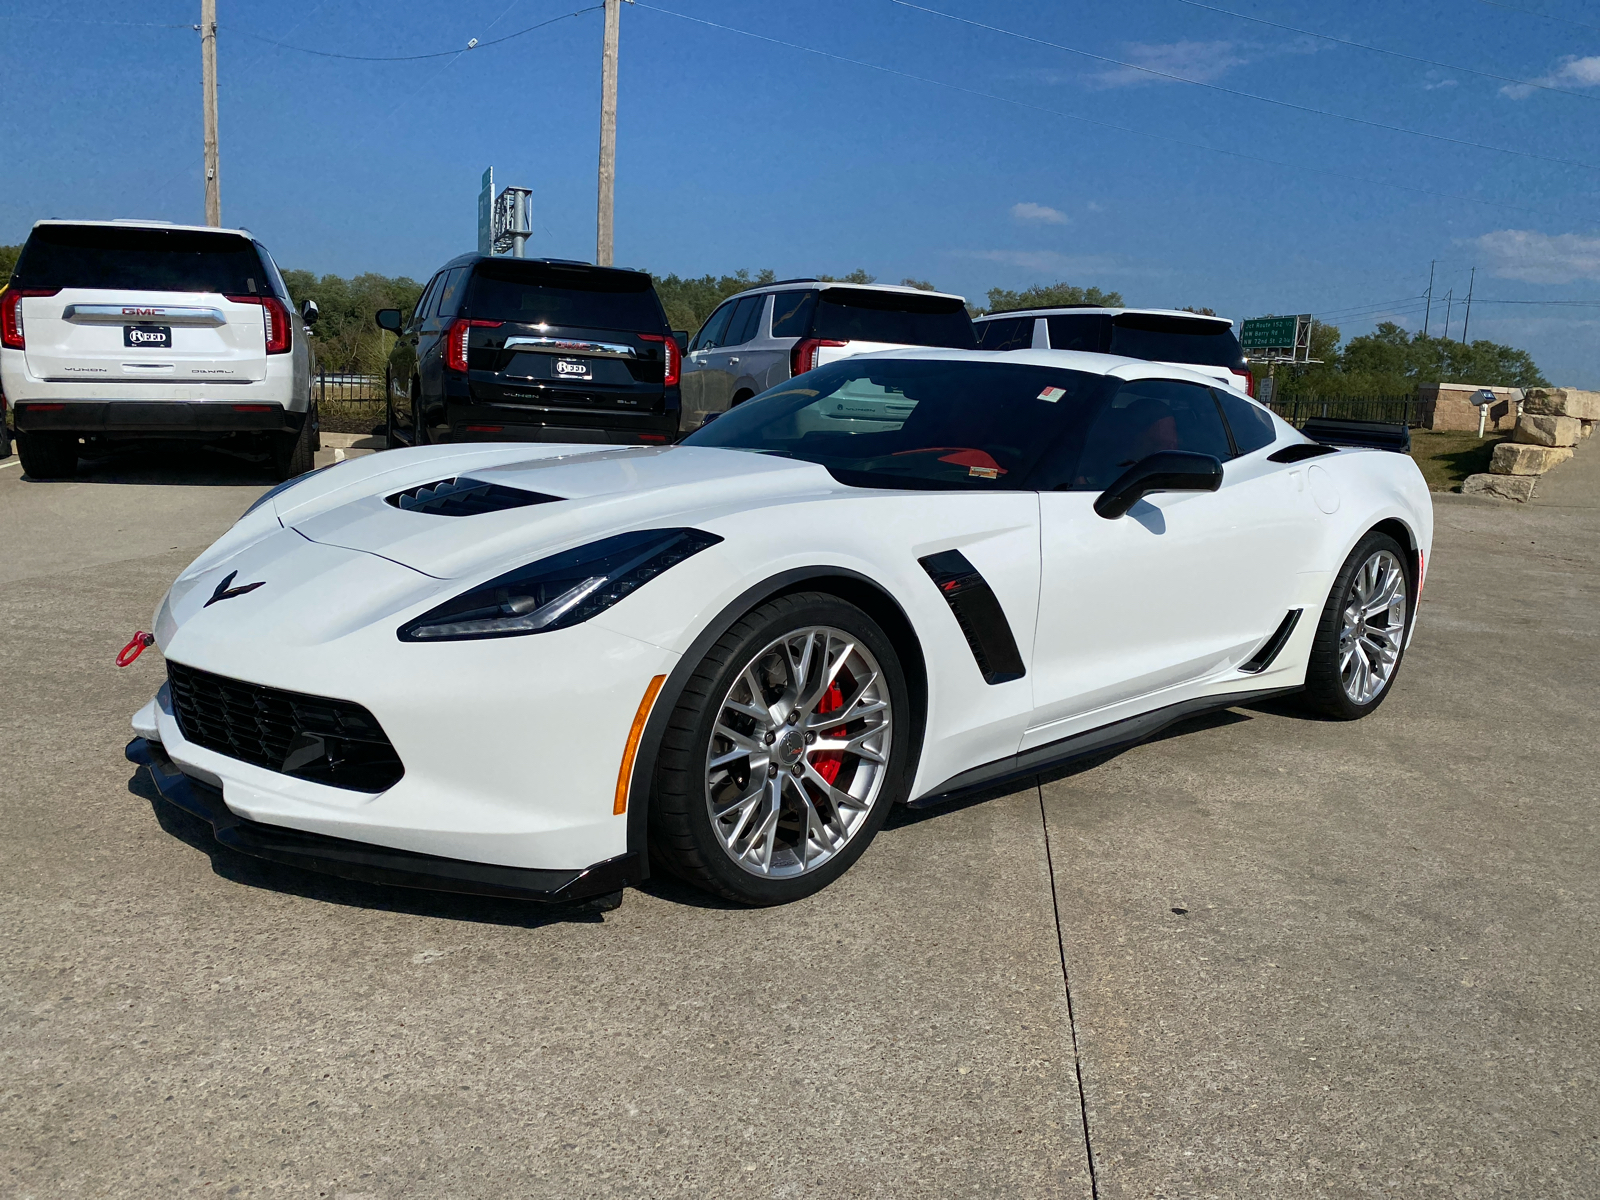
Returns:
<point x="785" y="754"/>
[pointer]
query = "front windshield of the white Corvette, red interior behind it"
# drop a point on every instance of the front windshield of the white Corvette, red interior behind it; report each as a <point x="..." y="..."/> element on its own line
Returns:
<point x="900" y="423"/>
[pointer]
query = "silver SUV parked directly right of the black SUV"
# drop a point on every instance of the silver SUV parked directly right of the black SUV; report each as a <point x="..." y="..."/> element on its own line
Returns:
<point x="777" y="332"/>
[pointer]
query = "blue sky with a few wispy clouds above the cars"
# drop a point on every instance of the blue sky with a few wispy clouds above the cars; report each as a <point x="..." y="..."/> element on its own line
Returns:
<point x="996" y="167"/>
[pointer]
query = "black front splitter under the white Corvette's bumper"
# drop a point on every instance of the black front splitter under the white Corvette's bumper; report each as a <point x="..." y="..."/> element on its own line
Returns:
<point x="369" y="863"/>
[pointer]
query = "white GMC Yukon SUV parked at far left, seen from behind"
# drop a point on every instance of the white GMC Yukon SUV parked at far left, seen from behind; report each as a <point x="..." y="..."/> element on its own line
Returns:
<point x="118" y="330"/>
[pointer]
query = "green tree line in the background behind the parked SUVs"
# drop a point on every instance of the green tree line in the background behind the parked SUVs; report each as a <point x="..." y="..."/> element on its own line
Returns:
<point x="1385" y="362"/>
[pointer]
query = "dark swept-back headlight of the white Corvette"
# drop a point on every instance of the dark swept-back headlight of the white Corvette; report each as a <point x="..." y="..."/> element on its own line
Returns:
<point x="561" y="591"/>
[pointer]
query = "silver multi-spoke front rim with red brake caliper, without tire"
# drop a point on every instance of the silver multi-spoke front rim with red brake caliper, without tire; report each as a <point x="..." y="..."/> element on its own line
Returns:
<point x="799" y="753"/>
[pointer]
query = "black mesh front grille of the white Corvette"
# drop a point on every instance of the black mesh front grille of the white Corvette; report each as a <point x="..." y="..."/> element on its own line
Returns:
<point x="327" y="742"/>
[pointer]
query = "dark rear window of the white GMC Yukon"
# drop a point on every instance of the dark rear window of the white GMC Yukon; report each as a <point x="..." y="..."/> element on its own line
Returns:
<point x="146" y="260"/>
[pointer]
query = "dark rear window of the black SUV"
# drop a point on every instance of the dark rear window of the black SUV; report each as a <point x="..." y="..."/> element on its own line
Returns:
<point x="543" y="294"/>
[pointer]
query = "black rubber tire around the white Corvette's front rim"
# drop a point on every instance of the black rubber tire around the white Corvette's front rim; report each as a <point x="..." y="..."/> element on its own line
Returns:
<point x="681" y="823"/>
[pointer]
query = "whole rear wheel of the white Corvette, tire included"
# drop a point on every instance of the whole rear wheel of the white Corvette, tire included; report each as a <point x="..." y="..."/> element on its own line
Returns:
<point x="1361" y="639"/>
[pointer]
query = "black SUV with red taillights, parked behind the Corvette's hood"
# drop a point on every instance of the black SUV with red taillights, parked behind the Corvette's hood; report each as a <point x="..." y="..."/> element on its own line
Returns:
<point x="508" y="350"/>
